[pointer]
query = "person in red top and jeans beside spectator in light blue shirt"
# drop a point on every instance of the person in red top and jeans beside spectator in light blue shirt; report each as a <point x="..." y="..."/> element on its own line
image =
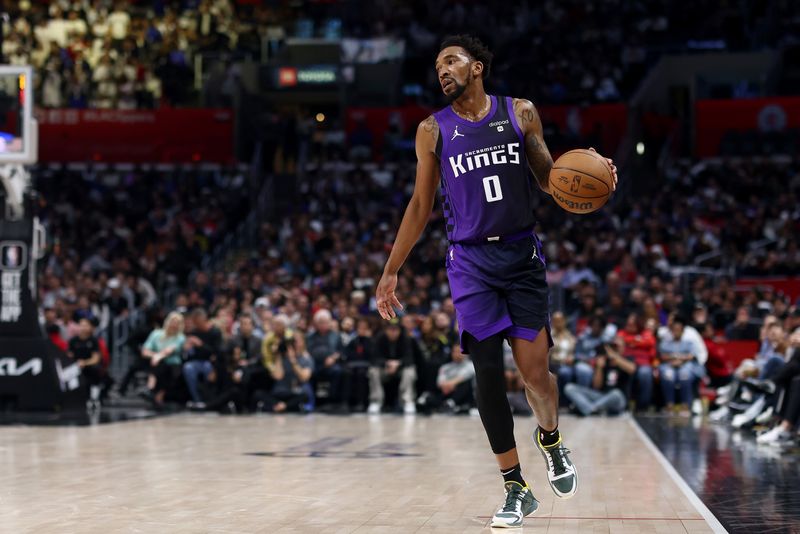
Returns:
<point x="639" y="345"/>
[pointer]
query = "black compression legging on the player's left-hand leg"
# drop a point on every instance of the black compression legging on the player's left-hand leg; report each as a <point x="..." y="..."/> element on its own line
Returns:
<point x="487" y="357"/>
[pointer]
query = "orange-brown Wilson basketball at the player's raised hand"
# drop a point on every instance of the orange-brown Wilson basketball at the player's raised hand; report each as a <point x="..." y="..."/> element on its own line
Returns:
<point x="581" y="181"/>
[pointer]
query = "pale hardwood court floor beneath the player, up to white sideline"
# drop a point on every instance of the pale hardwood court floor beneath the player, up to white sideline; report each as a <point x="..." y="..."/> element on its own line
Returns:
<point x="269" y="474"/>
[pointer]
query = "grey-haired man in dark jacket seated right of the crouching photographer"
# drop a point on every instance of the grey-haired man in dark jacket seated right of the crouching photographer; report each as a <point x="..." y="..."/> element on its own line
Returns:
<point x="325" y="346"/>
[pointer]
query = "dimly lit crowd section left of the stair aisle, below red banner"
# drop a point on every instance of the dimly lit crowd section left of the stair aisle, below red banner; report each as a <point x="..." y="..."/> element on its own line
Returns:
<point x="119" y="236"/>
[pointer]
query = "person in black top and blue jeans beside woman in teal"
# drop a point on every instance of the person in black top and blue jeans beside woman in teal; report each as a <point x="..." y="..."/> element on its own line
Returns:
<point x="204" y="358"/>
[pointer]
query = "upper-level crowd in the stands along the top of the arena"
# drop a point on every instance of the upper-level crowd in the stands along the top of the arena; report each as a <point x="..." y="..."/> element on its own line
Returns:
<point x="125" y="54"/>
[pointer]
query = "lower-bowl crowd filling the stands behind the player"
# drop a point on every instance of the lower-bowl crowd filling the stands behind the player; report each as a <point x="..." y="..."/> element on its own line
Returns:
<point x="291" y="325"/>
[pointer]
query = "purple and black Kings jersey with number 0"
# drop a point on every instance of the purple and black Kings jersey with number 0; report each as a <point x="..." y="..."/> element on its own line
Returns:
<point x="487" y="190"/>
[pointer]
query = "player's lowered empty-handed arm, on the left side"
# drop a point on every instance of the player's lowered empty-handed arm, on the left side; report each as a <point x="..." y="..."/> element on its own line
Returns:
<point x="416" y="215"/>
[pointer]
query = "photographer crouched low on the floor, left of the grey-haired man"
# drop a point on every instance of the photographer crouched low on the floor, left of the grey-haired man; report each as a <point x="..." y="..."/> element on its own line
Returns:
<point x="291" y="371"/>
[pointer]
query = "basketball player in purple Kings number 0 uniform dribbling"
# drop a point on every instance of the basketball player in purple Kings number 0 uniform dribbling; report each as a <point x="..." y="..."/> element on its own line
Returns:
<point x="483" y="149"/>
